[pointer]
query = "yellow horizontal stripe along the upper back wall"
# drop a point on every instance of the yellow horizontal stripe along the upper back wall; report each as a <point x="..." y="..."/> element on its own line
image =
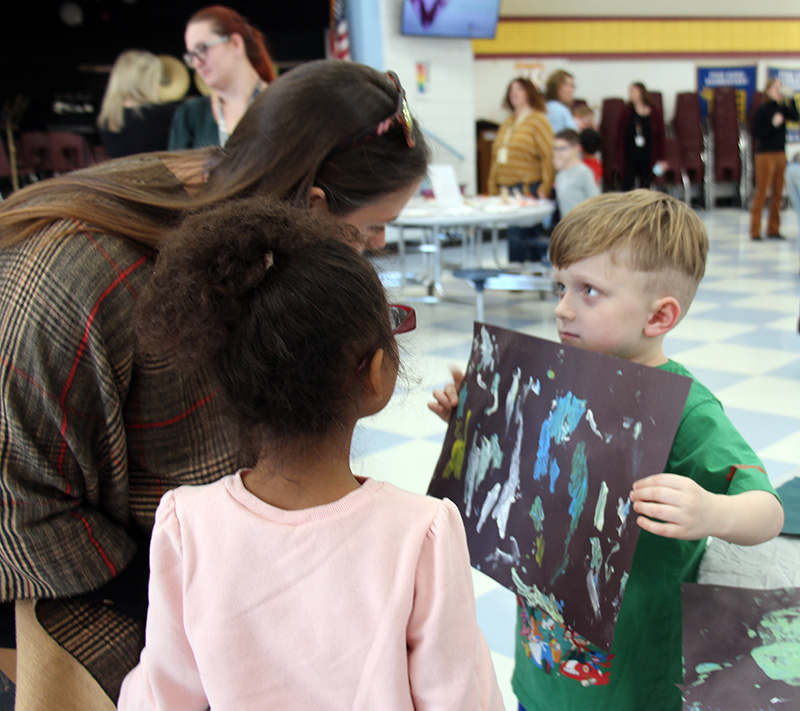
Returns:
<point x="641" y="36"/>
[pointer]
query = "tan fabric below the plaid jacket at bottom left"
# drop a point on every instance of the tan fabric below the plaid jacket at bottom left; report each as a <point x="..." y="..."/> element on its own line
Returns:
<point x="48" y="677"/>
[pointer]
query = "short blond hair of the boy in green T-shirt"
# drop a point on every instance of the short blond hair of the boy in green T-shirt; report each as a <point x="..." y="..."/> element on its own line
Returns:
<point x="645" y="230"/>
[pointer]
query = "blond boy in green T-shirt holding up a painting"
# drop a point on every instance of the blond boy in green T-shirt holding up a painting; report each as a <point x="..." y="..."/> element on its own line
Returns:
<point x="627" y="266"/>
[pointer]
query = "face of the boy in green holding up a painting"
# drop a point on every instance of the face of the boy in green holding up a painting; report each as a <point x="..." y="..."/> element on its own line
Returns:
<point x="604" y="307"/>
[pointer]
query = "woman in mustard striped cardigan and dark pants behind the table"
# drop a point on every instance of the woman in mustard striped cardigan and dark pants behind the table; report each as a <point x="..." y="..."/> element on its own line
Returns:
<point x="522" y="160"/>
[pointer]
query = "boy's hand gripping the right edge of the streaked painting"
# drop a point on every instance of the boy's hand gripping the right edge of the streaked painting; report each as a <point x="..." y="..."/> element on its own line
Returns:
<point x="682" y="507"/>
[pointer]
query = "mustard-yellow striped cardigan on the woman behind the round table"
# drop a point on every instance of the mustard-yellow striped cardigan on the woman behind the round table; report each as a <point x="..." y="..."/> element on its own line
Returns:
<point x="530" y="153"/>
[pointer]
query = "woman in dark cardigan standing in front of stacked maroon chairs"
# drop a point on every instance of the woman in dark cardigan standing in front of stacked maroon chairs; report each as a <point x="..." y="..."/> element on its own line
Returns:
<point x="641" y="140"/>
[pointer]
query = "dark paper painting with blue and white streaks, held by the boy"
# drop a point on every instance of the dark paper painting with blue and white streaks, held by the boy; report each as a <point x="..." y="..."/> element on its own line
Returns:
<point x="540" y="457"/>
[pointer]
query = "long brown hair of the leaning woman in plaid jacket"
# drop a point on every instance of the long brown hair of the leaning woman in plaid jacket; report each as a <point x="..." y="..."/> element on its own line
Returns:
<point x="282" y="147"/>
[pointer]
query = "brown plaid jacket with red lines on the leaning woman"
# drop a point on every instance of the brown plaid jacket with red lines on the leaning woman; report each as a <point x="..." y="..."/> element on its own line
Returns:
<point x="91" y="435"/>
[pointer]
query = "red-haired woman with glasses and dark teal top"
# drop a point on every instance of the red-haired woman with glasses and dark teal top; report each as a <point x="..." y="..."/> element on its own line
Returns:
<point x="230" y="56"/>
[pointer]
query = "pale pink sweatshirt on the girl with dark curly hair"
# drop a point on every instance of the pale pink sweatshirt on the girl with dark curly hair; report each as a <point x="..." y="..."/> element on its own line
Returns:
<point x="364" y="603"/>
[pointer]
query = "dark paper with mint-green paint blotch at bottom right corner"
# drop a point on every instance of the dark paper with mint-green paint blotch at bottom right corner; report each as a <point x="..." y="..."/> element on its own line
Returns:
<point x="741" y="648"/>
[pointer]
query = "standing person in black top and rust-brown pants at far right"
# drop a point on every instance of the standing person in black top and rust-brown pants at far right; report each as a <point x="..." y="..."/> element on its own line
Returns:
<point x="769" y="136"/>
